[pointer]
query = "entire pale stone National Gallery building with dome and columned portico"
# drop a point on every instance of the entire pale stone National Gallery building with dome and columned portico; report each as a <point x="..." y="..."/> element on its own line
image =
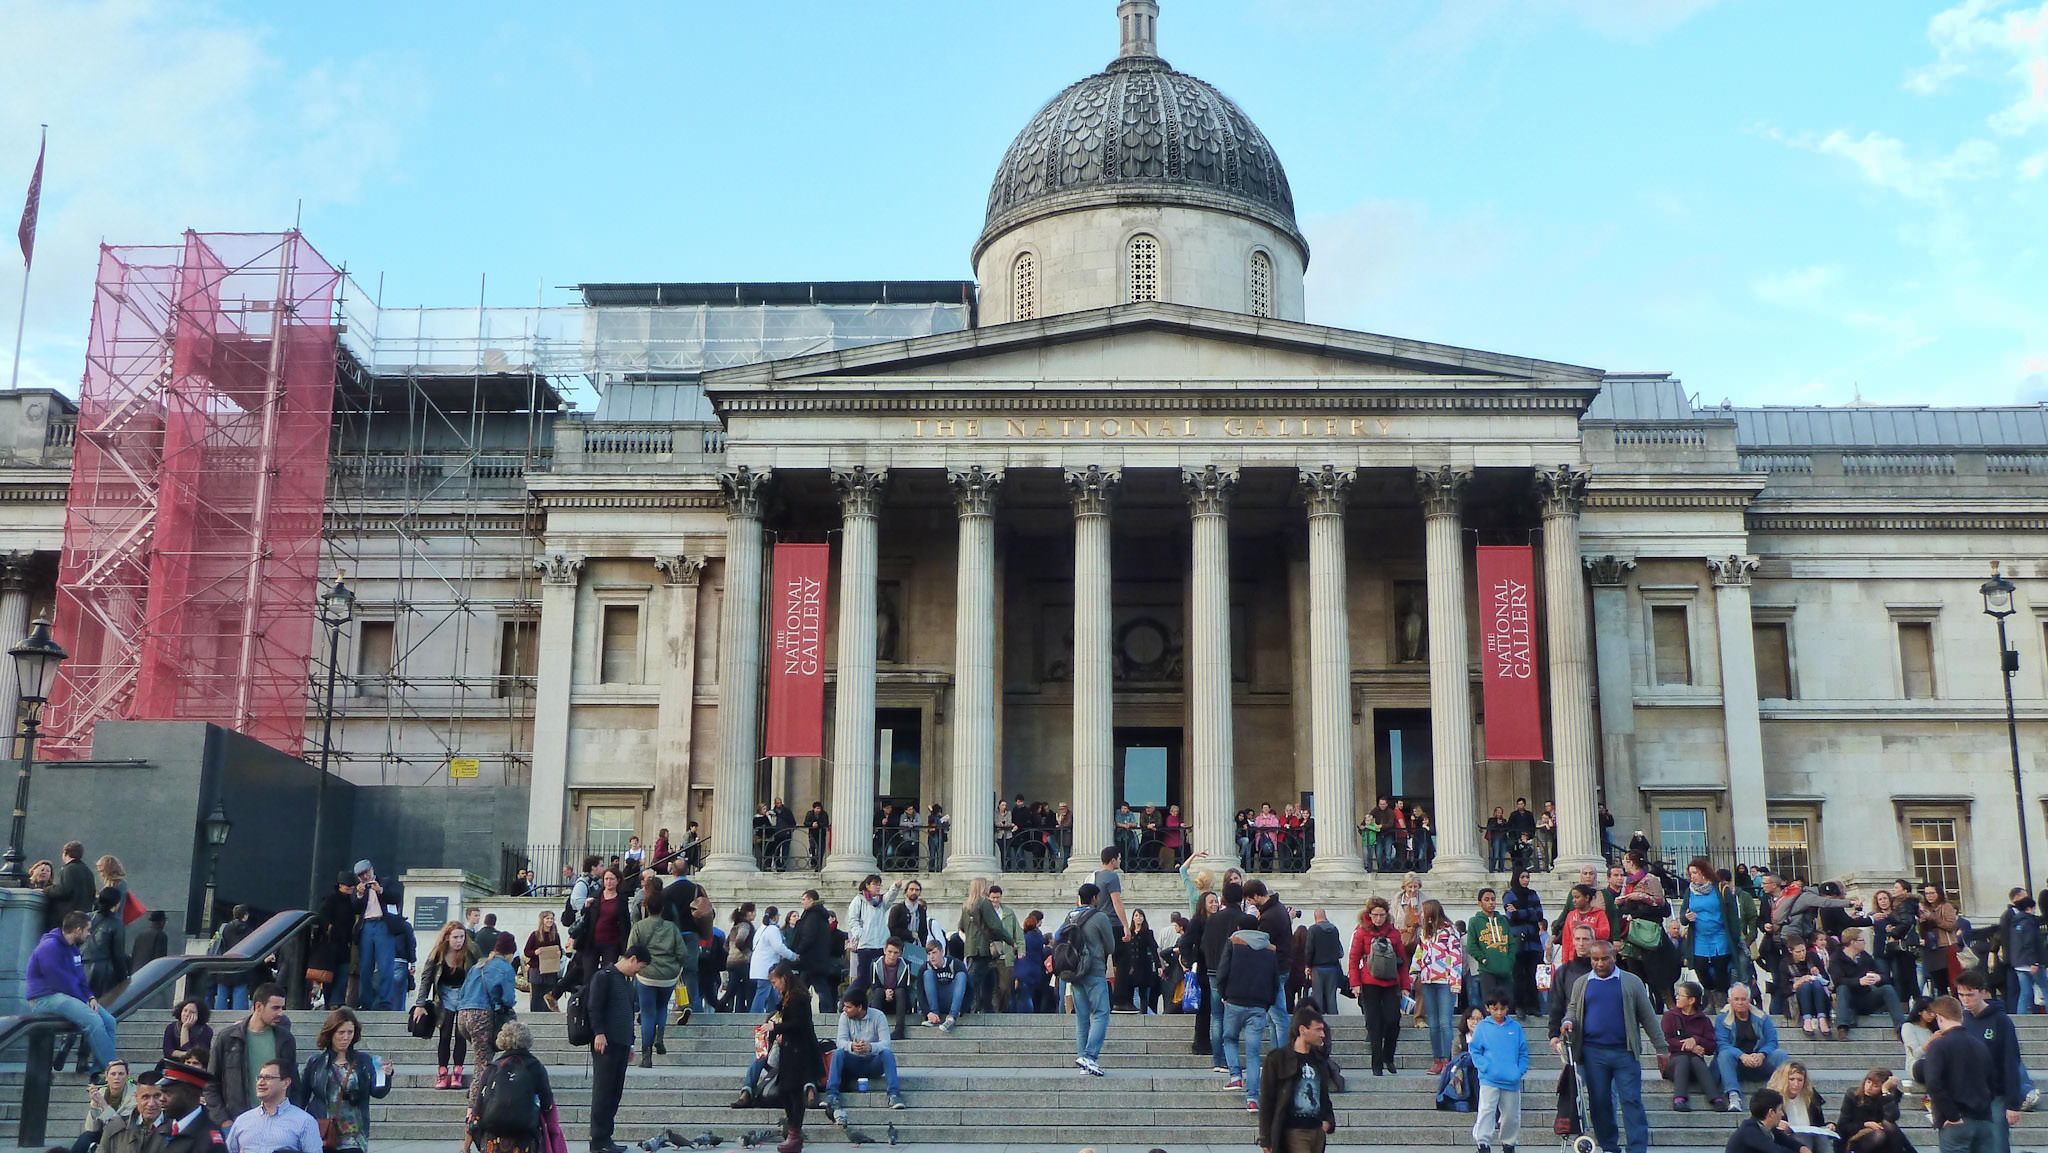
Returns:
<point x="1115" y="525"/>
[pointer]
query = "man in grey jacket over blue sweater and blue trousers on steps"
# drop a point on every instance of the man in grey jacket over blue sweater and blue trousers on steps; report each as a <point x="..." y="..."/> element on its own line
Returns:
<point x="1605" y="1017"/>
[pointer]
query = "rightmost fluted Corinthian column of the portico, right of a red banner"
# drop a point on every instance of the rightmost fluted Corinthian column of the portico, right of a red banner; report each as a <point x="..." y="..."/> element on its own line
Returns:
<point x="1572" y="699"/>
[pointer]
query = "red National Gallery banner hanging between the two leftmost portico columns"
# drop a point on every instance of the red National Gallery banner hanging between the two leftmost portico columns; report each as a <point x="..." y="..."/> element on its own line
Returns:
<point x="798" y="652"/>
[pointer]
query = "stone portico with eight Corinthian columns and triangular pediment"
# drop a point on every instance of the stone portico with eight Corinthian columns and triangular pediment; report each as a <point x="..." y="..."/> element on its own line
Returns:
<point x="1125" y="527"/>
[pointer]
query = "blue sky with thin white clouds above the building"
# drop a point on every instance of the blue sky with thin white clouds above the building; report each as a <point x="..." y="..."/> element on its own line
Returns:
<point x="1783" y="204"/>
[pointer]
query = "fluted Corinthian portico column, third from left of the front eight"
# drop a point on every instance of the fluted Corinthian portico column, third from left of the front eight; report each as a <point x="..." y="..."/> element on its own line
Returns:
<point x="974" y="677"/>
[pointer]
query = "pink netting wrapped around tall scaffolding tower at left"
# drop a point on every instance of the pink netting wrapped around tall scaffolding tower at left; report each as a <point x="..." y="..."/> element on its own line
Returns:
<point x="191" y="540"/>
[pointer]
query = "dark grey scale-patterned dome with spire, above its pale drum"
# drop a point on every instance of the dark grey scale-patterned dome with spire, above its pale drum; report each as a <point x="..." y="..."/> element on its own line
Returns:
<point x="1140" y="132"/>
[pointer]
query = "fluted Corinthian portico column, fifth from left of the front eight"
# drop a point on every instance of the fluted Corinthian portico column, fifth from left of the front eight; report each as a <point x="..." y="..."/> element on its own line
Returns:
<point x="1209" y="660"/>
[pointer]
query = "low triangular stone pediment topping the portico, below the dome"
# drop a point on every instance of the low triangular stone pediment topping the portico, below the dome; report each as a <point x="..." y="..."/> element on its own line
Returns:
<point x="1150" y="343"/>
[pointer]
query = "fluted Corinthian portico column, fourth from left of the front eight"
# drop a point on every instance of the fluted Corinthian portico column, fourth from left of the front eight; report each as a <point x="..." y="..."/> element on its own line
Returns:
<point x="1095" y="703"/>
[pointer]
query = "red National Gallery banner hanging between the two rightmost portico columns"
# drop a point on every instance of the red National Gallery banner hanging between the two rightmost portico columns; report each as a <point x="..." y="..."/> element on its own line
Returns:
<point x="1508" y="652"/>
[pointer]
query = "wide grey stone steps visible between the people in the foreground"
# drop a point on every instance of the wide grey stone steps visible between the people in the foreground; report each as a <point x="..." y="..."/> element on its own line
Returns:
<point x="1013" y="1078"/>
